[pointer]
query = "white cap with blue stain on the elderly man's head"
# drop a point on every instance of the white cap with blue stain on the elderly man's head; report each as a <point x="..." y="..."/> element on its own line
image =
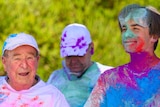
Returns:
<point x="15" y="40"/>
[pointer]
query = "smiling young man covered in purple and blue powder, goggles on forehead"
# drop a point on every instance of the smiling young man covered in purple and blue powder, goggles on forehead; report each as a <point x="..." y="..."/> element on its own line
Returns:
<point x="136" y="83"/>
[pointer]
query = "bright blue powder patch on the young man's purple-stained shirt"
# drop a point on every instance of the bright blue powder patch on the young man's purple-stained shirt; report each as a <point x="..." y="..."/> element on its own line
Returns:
<point x="122" y="96"/>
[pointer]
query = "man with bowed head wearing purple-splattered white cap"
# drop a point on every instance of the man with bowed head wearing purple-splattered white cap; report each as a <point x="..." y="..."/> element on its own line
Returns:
<point x="79" y="74"/>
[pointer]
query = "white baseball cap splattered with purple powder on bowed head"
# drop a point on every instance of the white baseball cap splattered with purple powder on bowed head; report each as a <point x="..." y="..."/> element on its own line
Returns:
<point x="75" y="40"/>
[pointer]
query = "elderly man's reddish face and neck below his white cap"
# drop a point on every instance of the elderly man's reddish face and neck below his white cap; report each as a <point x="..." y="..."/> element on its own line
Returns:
<point x="21" y="65"/>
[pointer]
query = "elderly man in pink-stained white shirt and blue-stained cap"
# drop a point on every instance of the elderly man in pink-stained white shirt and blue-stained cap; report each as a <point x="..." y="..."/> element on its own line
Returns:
<point x="21" y="87"/>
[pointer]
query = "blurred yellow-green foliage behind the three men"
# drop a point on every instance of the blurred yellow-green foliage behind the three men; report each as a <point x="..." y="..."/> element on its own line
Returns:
<point x="45" y="20"/>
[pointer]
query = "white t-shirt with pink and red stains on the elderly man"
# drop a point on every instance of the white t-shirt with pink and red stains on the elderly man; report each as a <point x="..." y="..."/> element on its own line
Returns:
<point x="40" y="95"/>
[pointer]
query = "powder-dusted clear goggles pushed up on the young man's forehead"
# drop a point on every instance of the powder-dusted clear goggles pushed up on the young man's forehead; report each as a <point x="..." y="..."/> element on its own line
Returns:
<point x="139" y="16"/>
